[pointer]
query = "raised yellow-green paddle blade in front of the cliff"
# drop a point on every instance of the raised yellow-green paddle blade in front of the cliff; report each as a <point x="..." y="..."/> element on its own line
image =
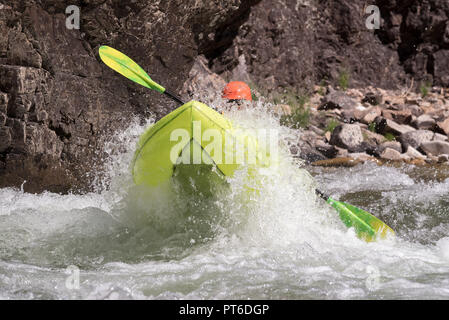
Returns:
<point x="124" y="65"/>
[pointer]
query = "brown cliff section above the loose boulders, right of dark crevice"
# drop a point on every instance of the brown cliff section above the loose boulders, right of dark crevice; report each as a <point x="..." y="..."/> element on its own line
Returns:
<point x="298" y="43"/>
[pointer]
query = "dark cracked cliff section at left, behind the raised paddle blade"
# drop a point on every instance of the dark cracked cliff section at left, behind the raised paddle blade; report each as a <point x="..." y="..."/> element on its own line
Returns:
<point x="58" y="102"/>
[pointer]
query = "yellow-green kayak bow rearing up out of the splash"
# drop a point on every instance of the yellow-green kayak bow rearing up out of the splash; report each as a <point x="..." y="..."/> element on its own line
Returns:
<point x="193" y="136"/>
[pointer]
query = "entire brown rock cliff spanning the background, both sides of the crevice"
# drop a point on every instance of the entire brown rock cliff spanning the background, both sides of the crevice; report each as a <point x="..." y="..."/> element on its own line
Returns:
<point x="58" y="102"/>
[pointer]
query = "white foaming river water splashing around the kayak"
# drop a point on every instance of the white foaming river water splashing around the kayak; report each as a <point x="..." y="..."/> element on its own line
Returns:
<point x="122" y="242"/>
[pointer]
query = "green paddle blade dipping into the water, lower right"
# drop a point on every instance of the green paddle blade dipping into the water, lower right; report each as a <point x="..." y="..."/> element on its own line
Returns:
<point x="366" y="226"/>
